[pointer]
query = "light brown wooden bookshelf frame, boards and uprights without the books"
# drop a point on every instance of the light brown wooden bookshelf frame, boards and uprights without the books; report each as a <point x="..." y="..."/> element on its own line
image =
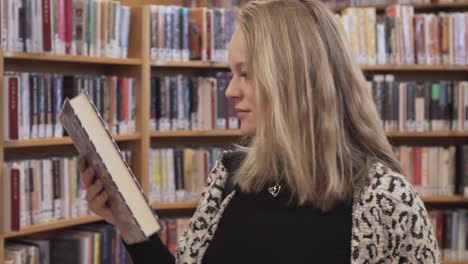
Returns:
<point x="139" y="66"/>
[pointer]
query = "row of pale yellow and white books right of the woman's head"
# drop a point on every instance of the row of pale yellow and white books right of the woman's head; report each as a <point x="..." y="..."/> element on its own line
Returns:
<point x="402" y="37"/>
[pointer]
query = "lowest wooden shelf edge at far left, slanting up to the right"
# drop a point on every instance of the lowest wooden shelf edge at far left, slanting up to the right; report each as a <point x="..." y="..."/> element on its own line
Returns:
<point x="54" y="226"/>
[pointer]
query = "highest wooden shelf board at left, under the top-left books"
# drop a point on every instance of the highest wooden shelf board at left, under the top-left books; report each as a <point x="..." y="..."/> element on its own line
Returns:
<point x="71" y="58"/>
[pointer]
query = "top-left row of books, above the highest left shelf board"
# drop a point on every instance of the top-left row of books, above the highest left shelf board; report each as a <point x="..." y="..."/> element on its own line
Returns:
<point x="80" y="27"/>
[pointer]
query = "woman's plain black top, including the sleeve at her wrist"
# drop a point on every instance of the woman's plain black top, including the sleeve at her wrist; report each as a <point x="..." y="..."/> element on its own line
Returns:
<point x="260" y="228"/>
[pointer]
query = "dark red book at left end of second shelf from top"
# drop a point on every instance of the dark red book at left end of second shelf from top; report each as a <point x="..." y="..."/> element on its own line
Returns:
<point x="13" y="126"/>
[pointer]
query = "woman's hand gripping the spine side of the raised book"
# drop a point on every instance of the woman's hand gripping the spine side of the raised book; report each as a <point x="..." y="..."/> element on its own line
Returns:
<point x="95" y="194"/>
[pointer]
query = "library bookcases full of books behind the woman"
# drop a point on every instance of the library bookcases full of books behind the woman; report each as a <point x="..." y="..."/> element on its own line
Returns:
<point x="156" y="71"/>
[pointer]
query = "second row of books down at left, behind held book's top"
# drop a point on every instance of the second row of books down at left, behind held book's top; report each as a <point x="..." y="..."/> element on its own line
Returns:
<point x="32" y="102"/>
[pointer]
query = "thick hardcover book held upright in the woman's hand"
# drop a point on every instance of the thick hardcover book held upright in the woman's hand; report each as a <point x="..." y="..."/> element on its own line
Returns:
<point x="134" y="217"/>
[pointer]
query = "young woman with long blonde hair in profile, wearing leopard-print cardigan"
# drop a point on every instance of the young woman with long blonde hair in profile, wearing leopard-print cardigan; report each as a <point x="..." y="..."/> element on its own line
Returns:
<point x="319" y="182"/>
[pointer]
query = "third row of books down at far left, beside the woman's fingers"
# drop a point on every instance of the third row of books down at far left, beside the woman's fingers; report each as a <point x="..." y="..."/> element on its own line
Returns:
<point x="38" y="191"/>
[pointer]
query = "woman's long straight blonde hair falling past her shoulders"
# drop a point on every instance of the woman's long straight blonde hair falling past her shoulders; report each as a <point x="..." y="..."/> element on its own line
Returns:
<point x="317" y="127"/>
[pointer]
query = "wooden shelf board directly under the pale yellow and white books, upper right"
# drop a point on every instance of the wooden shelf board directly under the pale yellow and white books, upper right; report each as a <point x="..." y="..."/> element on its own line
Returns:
<point x="388" y="67"/>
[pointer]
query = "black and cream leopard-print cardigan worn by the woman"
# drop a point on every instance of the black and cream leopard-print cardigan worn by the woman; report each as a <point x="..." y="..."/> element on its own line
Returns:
<point x="390" y="222"/>
